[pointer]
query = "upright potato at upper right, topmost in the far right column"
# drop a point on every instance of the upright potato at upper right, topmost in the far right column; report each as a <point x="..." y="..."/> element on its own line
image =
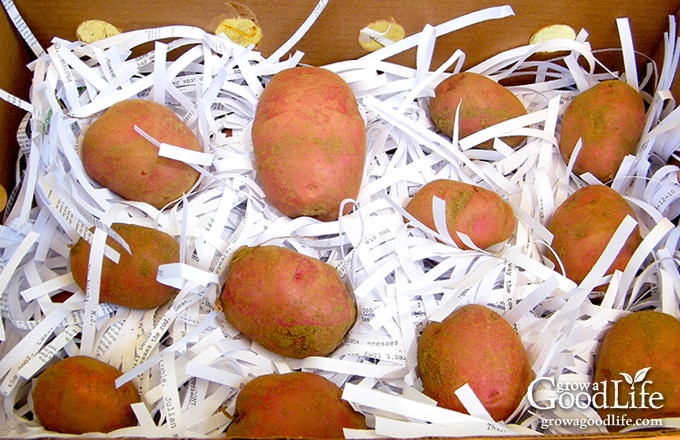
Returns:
<point x="609" y="118"/>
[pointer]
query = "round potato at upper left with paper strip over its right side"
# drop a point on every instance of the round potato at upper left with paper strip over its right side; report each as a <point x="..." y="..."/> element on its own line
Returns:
<point x="117" y="157"/>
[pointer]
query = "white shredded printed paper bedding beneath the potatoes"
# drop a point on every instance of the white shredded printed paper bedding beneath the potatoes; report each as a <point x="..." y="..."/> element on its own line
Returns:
<point x="189" y="363"/>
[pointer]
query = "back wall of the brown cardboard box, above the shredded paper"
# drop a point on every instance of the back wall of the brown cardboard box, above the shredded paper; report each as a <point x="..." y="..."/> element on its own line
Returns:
<point x="334" y="36"/>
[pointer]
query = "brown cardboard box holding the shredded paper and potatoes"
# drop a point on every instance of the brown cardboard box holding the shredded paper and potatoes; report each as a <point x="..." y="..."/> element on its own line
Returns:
<point x="333" y="38"/>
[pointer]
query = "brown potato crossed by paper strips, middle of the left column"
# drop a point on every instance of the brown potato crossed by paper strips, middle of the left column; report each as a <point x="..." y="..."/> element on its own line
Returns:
<point x="131" y="282"/>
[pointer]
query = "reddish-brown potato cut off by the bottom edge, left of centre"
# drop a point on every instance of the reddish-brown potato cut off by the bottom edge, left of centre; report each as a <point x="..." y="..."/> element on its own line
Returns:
<point x="292" y="405"/>
